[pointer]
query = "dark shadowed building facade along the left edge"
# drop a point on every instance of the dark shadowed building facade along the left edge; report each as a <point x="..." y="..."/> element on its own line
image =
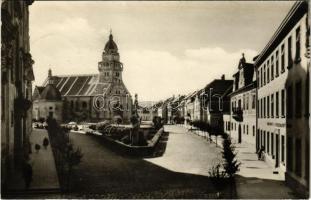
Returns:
<point x="16" y="87"/>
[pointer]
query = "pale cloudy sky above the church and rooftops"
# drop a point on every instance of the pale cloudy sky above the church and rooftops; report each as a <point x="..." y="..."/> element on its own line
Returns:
<point x="167" y="48"/>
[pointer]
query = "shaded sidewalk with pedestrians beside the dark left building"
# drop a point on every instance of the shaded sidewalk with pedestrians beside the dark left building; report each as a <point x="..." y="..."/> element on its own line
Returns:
<point x="43" y="164"/>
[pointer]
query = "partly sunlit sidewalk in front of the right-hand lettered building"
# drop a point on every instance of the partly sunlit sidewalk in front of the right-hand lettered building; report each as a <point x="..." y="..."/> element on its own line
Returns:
<point x="256" y="178"/>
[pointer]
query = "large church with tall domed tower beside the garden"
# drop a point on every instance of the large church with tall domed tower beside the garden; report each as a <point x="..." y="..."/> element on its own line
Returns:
<point x="86" y="97"/>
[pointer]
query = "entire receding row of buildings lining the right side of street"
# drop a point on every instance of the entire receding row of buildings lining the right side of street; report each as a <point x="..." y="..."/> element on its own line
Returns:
<point x="266" y="104"/>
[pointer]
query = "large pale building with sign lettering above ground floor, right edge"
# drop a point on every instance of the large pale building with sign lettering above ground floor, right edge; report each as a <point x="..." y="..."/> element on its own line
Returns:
<point x="283" y="98"/>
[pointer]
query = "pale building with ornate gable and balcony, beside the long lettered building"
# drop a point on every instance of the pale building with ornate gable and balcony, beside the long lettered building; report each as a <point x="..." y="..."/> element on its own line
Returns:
<point x="241" y="124"/>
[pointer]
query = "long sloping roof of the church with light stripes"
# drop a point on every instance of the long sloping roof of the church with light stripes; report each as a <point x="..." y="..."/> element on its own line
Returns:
<point x="79" y="85"/>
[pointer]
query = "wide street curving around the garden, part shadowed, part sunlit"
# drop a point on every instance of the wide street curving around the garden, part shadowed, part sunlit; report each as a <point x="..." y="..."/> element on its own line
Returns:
<point x="180" y="172"/>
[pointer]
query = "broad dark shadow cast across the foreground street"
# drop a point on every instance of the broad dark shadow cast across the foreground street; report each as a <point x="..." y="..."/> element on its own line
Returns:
<point x="106" y="174"/>
